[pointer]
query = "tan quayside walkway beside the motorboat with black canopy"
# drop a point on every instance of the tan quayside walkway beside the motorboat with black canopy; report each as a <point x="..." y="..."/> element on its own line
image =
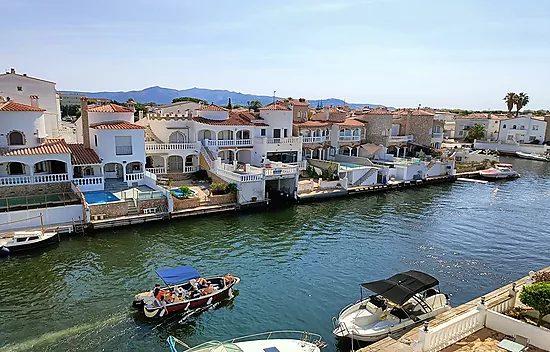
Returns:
<point x="405" y="342"/>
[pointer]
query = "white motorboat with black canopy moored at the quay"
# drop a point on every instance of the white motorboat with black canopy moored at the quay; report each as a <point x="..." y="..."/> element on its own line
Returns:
<point x="398" y="303"/>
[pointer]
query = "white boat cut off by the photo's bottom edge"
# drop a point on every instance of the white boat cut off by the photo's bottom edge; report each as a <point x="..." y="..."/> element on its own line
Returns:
<point x="274" y="341"/>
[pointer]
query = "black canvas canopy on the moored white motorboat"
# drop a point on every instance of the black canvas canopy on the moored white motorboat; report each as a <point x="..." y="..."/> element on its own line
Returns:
<point x="401" y="287"/>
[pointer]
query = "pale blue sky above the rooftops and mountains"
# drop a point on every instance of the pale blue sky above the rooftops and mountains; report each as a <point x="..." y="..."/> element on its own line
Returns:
<point x="439" y="53"/>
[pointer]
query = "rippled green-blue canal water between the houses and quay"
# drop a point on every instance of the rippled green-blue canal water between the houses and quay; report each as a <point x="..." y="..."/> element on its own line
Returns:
<point x="299" y="266"/>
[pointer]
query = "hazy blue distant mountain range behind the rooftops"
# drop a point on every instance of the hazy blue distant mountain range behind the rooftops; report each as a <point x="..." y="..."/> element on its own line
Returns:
<point x="162" y="95"/>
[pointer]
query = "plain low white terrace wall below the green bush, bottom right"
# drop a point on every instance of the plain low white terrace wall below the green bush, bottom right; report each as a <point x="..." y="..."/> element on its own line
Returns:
<point x="509" y="326"/>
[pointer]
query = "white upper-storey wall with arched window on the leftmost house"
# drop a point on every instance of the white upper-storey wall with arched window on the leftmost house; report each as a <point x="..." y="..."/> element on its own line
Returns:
<point x="29" y="122"/>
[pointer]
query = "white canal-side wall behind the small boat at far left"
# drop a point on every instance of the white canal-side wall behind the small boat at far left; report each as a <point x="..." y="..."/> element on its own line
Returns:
<point x="51" y="216"/>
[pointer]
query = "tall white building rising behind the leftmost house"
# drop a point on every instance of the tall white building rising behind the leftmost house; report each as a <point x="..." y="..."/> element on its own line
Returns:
<point x="24" y="89"/>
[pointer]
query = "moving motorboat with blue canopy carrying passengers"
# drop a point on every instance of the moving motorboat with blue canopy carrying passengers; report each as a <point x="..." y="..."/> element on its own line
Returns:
<point x="186" y="290"/>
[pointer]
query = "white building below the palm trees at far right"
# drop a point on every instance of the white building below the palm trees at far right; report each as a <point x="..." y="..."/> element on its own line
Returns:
<point x="523" y="129"/>
